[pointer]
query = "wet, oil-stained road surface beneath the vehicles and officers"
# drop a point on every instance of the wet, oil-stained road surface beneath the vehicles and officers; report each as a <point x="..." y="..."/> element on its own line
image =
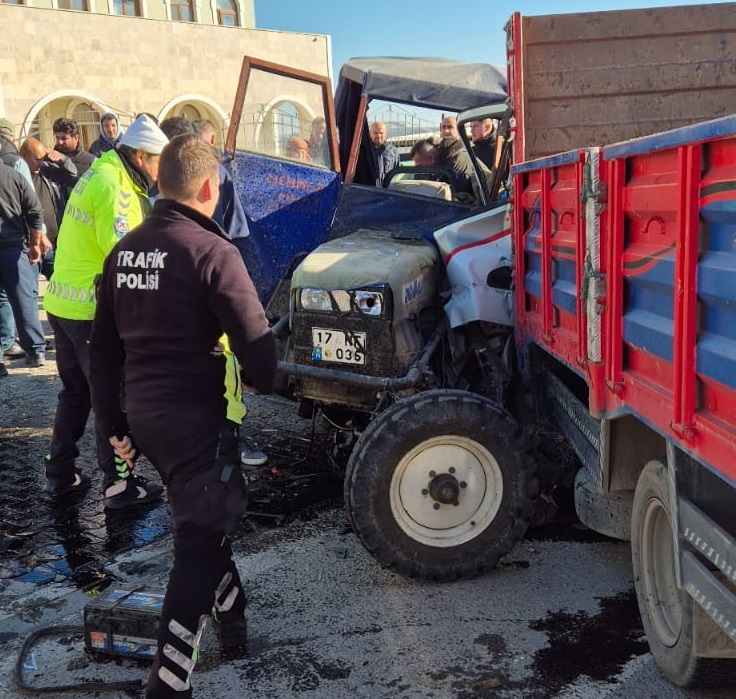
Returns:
<point x="556" y="619"/>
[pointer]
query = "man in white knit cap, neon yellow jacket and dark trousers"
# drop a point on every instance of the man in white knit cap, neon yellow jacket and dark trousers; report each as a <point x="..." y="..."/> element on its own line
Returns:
<point x="108" y="201"/>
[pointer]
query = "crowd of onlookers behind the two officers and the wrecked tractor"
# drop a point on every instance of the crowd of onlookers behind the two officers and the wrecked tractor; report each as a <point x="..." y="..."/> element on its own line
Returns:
<point x="51" y="174"/>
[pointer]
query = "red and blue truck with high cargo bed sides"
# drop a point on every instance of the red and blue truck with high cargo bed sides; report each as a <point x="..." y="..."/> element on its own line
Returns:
<point x="625" y="302"/>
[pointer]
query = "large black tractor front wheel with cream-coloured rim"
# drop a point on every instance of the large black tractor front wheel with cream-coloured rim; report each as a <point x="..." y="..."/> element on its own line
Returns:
<point x="441" y="485"/>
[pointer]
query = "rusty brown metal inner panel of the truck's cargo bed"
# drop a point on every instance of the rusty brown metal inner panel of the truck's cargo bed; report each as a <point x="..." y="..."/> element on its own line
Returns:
<point x="603" y="77"/>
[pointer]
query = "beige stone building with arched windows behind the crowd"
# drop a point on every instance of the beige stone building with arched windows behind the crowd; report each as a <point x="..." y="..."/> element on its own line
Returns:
<point x="80" y="58"/>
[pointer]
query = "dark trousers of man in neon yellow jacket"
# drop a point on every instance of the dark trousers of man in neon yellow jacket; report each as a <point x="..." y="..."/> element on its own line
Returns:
<point x="71" y="338"/>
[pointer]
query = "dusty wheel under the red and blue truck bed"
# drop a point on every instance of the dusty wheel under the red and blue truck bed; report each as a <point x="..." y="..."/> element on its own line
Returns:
<point x="667" y="612"/>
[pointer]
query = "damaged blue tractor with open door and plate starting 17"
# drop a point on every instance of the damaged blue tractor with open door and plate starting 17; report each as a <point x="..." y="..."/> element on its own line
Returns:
<point x="393" y="312"/>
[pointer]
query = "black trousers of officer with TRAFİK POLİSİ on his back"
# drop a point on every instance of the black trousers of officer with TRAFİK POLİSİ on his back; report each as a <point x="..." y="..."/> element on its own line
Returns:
<point x="198" y="460"/>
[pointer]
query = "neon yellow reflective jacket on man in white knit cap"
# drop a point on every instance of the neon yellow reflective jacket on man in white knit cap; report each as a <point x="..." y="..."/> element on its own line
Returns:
<point x="103" y="206"/>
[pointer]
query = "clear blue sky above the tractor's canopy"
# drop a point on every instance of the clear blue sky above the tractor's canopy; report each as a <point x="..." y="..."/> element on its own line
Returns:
<point x="470" y="30"/>
